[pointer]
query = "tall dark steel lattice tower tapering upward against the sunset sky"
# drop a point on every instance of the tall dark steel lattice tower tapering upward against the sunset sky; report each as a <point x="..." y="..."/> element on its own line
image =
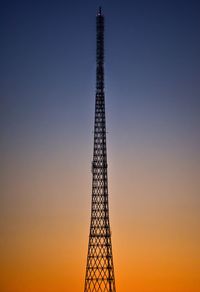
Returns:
<point x="100" y="269"/>
